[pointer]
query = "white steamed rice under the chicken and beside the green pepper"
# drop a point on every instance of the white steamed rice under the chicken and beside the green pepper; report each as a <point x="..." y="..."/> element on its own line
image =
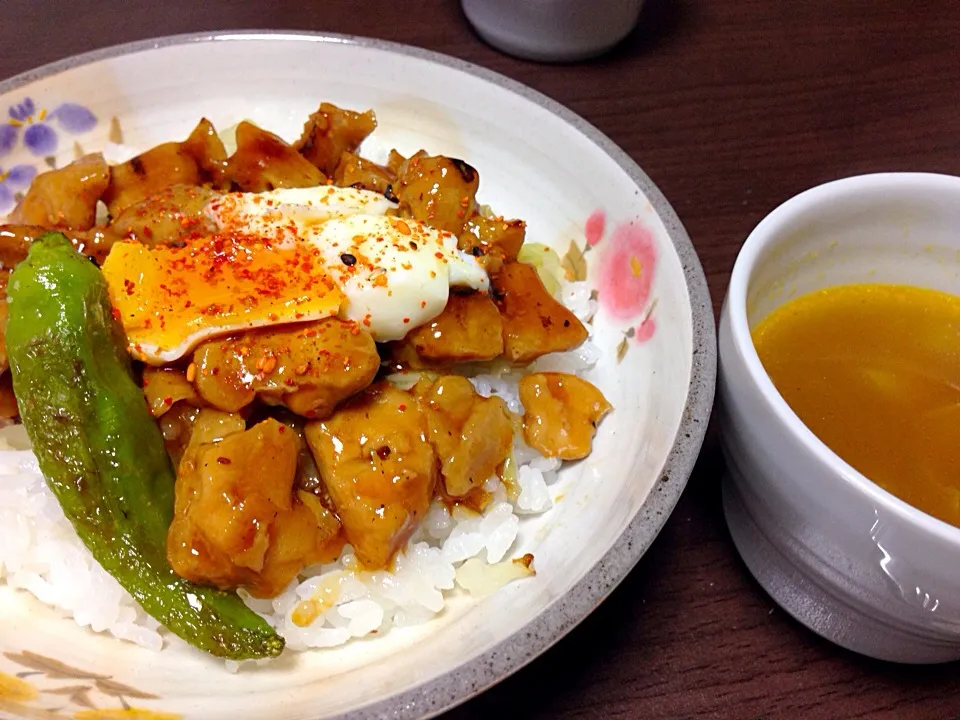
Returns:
<point x="456" y="552"/>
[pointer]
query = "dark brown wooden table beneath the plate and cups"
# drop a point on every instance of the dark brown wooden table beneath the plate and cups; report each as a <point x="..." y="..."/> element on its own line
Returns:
<point x="731" y="106"/>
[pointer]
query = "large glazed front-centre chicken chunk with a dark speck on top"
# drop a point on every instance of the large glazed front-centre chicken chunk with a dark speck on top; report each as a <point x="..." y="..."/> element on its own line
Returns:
<point x="378" y="468"/>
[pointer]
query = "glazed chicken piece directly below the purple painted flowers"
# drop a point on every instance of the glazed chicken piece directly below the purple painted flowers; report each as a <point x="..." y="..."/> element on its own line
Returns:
<point x="66" y="197"/>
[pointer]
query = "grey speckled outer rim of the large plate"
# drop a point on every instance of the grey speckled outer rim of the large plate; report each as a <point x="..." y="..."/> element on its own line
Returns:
<point x="556" y="620"/>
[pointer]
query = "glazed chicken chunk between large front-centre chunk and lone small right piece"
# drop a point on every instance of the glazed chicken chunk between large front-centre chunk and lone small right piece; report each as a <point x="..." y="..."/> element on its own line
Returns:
<point x="472" y="435"/>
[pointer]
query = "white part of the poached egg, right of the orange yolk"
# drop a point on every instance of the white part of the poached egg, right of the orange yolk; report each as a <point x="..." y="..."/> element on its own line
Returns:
<point x="419" y="266"/>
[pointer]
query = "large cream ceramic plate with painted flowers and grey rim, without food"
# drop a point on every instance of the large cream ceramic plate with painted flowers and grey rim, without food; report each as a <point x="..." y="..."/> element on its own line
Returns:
<point x="538" y="161"/>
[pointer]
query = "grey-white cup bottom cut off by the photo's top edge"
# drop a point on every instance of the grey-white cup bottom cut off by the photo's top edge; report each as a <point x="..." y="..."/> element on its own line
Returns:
<point x="553" y="30"/>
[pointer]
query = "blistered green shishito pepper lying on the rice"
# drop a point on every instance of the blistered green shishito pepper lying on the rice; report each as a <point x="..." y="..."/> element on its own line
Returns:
<point x="100" y="450"/>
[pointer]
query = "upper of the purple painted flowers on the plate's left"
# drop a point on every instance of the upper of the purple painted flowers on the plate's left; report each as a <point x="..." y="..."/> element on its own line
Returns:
<point x="37" y="126"/>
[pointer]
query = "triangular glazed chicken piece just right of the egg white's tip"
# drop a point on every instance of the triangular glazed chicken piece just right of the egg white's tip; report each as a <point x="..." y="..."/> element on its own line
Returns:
<point x="534" y="323"/>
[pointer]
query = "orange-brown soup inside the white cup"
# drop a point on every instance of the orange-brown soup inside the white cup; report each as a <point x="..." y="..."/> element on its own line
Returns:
<point x="874" y="371"/>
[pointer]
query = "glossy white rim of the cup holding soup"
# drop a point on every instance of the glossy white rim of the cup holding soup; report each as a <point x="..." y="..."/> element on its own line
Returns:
<point x="766" y="234"/>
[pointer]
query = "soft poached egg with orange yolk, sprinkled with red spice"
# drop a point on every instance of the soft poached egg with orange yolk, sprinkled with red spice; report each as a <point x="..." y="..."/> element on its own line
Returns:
<point x="286" y="256"/>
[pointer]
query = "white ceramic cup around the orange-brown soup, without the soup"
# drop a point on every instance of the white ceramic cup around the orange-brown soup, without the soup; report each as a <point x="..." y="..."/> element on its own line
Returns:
<point x="843" y="556"/>
